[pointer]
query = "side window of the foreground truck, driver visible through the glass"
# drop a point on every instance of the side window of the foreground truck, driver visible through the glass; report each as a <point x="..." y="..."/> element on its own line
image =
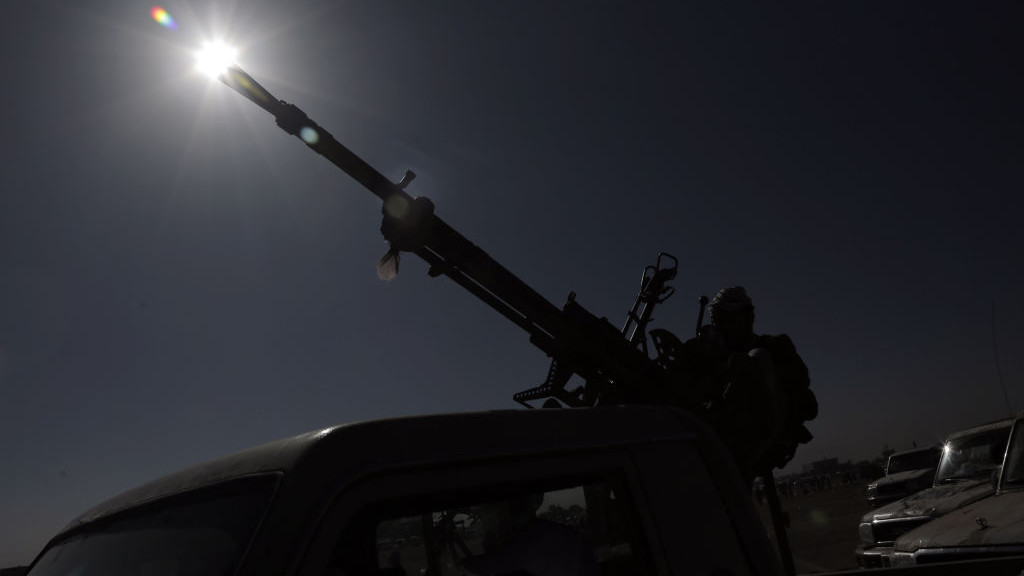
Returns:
<point x="584" y="529"/>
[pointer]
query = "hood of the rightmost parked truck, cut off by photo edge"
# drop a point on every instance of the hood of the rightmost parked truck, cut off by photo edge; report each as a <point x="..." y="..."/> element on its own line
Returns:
<point x="998" y="520"/>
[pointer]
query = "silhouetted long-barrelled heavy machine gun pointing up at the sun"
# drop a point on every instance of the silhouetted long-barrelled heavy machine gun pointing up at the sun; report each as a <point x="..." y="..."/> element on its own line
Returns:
<point x="614" y="363"/>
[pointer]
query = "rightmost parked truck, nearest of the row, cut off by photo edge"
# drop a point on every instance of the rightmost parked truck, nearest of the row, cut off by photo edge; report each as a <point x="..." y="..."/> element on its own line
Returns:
<point x="989" y="528"/>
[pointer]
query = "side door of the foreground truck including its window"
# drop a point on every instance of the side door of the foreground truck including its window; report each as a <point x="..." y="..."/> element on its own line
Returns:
<point x="577" y="514"/>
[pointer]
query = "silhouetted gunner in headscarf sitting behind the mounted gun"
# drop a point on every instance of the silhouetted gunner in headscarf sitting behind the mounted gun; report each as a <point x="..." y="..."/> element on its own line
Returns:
<point x="756" y="389"/>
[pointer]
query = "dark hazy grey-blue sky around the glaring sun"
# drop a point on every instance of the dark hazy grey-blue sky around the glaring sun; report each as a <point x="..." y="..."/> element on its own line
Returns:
<point x="180" y="279"/>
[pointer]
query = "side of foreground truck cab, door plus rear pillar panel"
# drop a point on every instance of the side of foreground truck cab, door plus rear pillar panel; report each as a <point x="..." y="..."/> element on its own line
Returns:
<point x="651" y="509"/>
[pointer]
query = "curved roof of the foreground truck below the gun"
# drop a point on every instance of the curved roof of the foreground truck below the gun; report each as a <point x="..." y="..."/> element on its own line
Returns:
<point x="313" y="461"/>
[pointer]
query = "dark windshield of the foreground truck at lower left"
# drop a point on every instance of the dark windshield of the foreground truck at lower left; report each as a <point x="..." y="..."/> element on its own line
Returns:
<point x="196" y="534"/>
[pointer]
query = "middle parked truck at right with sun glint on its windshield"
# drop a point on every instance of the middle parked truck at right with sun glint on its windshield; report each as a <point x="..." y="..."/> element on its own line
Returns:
<point x="968" y="460"/>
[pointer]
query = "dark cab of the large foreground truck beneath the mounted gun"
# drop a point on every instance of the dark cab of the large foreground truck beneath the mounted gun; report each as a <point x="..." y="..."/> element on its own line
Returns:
<point x="619" y="490"/>
